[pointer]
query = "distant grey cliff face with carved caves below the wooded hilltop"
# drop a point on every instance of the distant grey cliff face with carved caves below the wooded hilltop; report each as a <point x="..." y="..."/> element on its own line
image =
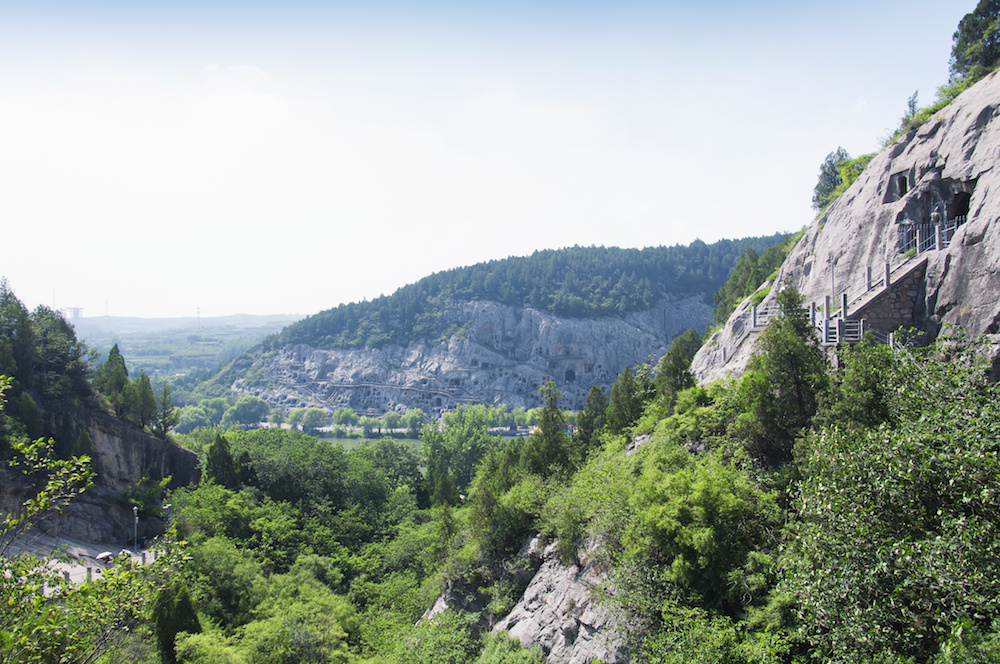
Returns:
<point x="500" y="355"/>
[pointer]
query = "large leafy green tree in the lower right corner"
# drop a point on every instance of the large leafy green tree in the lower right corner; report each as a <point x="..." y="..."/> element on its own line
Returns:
<point x="895" y="546"/>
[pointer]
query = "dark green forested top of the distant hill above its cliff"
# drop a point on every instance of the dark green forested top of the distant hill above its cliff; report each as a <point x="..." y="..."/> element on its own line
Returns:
<point x="578" y="282"/>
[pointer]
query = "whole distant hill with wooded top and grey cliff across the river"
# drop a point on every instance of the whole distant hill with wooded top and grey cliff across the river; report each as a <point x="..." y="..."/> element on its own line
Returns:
<point x="494" y="332"/>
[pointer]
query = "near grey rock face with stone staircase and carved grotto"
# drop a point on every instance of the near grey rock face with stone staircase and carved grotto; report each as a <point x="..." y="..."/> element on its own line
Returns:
<point x="930" y="202"/>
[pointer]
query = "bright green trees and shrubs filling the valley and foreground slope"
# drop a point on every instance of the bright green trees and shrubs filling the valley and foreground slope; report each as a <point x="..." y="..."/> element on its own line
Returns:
<point x="800" y="513"/>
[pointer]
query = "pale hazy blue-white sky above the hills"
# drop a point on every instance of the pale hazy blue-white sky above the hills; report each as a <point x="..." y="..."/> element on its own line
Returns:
<point x="182" y="158"/>
